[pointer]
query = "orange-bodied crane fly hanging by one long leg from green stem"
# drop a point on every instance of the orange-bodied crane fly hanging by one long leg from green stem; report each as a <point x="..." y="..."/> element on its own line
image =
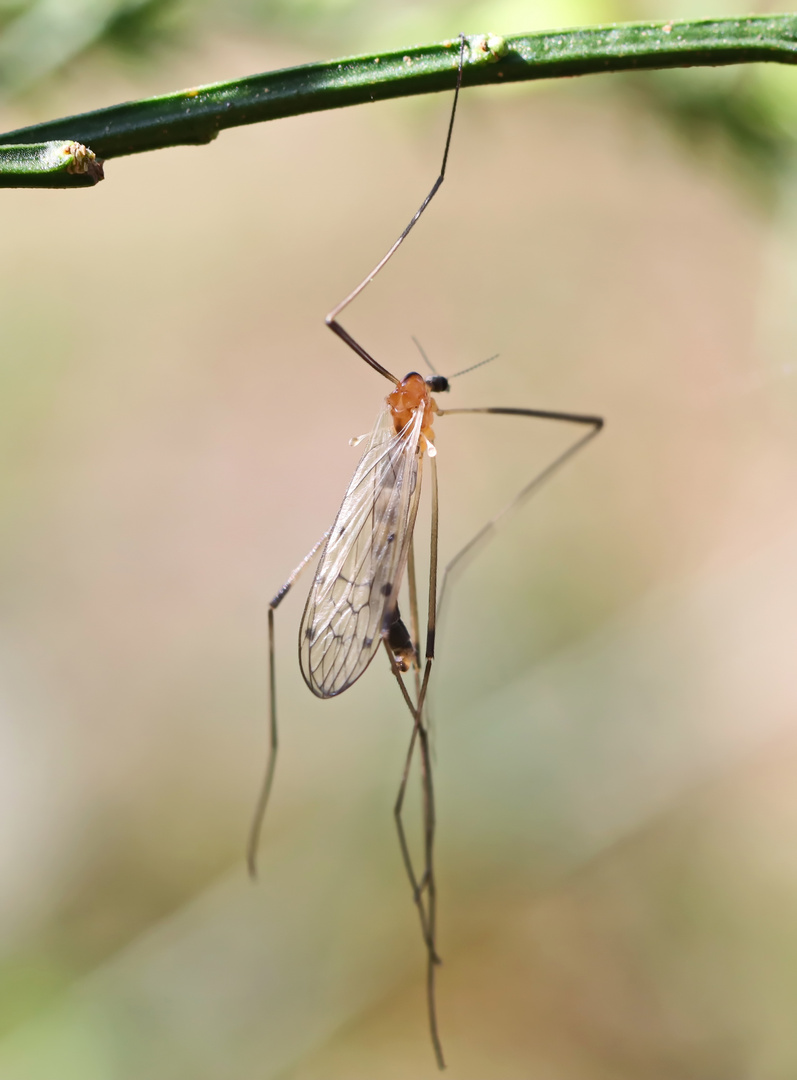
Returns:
<point x="353" y="609"/>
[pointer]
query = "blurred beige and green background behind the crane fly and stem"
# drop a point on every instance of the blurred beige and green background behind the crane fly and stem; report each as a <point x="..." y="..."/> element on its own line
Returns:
<point x="616" y="697"/>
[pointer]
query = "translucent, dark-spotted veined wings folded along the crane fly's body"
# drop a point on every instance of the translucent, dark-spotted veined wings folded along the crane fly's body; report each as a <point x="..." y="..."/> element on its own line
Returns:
<point x="360" y="573"/>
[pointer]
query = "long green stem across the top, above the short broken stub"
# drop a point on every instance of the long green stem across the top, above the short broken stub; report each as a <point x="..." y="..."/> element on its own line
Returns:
<point x="197" y="116"/>
